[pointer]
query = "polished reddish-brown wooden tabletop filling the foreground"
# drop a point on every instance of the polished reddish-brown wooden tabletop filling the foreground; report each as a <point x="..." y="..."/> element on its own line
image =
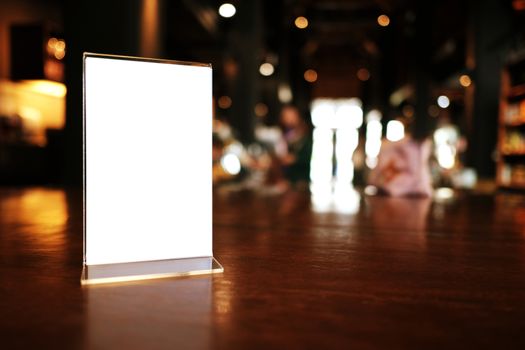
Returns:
<point x="329" y="270"/>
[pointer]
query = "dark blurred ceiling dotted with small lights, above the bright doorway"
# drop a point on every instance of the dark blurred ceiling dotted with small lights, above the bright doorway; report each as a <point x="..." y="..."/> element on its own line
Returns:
<point x="342" y="36"/>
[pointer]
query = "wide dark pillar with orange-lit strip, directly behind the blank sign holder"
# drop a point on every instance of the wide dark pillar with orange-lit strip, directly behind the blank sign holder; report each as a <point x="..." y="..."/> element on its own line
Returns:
<point x="132" y="28"/>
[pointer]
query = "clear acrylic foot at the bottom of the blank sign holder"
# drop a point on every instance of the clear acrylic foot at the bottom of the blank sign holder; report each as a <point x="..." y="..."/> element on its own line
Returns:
<point x="133" y="271"/>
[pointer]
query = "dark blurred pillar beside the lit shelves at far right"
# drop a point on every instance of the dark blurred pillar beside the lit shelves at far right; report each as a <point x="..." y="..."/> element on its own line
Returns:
<point x="491" y="22"/>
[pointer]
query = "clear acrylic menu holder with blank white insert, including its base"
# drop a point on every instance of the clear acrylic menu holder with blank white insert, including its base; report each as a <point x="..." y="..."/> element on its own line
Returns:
<point x="147" y="142"/>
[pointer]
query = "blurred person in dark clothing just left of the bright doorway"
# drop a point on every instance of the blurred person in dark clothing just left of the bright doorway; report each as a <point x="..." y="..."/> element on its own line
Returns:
<point x="295" y="161"/>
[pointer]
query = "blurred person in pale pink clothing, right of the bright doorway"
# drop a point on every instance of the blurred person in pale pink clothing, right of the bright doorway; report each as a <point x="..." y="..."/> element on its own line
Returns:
<point x="403" y="168"/>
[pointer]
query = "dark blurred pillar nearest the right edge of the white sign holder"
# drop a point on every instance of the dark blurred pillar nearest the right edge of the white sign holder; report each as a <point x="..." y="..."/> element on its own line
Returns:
<point x="246" y="47"/>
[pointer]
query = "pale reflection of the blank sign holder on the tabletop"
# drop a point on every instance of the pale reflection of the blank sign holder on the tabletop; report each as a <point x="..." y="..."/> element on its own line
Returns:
<point x="157" y="314"/>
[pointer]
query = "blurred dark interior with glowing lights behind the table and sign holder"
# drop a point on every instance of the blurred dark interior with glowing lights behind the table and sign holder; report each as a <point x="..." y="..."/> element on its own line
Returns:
<point x="305" y="92"/>
